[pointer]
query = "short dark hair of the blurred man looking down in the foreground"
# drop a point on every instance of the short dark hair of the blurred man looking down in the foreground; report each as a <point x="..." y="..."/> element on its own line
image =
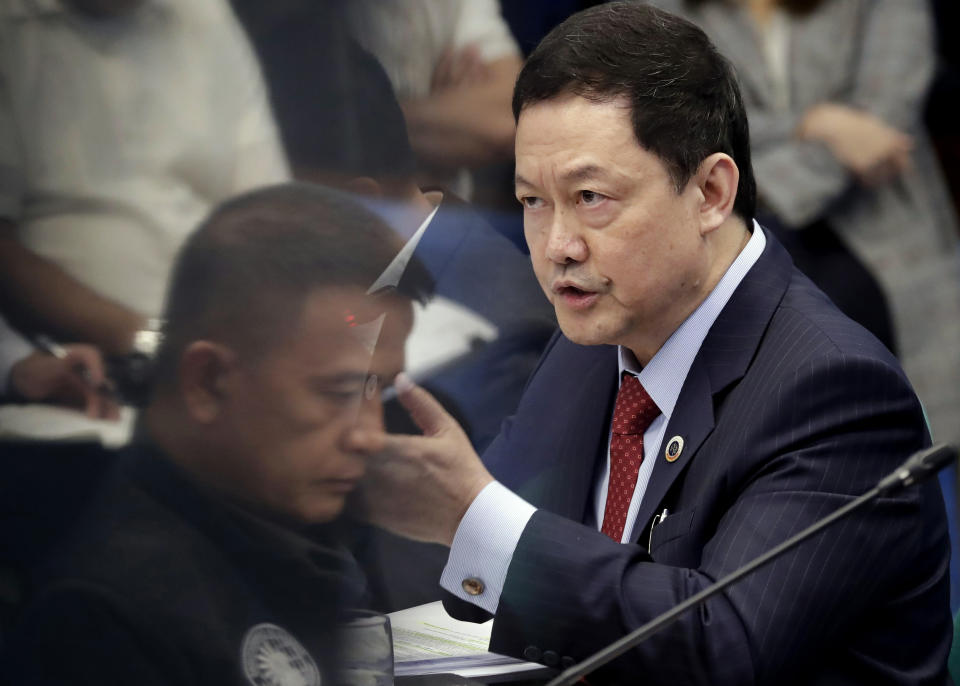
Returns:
<point x="244" y="275"/>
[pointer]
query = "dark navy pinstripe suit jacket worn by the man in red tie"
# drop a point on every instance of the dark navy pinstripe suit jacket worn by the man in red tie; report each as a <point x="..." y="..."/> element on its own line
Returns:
<point x="789" y="411"/>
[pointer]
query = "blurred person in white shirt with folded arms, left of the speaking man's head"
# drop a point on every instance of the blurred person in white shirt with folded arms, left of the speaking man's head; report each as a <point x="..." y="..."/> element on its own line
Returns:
<point x="452" y="64"/>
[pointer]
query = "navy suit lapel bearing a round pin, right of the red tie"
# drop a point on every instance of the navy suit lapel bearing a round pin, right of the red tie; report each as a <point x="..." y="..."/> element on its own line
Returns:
<point x="723" y="359"/>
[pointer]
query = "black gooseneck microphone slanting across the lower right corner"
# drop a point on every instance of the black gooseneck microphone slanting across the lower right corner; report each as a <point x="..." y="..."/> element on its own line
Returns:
<point x="918" y="467"/>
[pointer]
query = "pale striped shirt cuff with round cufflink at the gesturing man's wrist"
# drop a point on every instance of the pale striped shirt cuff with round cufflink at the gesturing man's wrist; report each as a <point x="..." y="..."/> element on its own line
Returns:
<point x="484" y="544"/>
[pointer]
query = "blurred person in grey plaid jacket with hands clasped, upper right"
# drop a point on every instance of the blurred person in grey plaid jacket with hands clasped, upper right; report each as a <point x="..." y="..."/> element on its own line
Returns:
<point x="835" y="93"/>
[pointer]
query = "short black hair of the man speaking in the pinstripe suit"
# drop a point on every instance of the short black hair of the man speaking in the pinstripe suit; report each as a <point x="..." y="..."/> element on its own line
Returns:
<point x="685" y="103"/>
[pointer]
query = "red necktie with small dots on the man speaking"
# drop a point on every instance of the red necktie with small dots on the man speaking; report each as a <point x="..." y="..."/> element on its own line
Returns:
<point x="633" y="413"/>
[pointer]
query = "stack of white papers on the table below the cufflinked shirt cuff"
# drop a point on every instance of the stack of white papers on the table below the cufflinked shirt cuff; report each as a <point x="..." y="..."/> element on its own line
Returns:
<point x="426" y="640"/>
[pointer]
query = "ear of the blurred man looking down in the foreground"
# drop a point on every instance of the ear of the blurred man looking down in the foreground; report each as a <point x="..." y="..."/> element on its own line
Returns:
<point x="204" y="373"/>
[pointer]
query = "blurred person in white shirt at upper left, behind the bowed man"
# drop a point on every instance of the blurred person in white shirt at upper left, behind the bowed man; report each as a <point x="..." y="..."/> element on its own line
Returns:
<point x="122" y="123"/>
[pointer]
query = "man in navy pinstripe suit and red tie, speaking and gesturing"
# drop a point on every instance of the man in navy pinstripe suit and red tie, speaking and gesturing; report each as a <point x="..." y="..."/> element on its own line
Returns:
<point x="773" y="408"/>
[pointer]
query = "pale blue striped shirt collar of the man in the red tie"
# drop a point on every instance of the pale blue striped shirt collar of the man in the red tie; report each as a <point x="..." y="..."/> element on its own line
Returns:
<point x="664" y="375"/>
